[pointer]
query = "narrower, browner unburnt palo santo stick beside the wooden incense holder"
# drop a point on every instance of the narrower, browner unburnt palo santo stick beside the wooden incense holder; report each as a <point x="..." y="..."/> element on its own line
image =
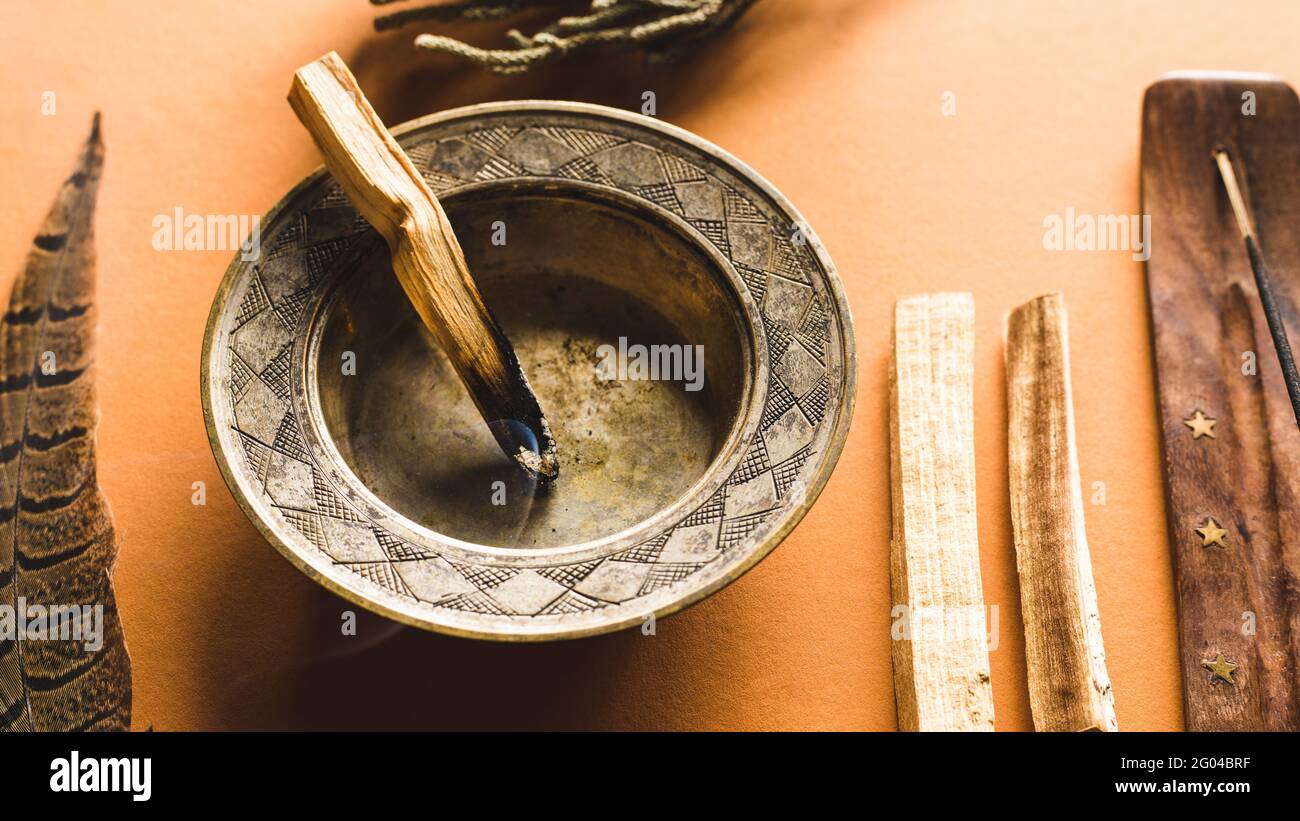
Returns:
<point x="1069" y="687"/>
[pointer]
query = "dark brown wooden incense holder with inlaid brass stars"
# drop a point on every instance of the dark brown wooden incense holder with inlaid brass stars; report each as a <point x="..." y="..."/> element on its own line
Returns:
<point x="1240" y="597"/>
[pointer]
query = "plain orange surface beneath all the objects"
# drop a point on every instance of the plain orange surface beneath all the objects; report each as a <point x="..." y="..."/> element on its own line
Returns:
<point x="835" y="102"/>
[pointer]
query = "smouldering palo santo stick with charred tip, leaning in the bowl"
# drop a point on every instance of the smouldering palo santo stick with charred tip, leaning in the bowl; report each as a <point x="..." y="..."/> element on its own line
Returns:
<point x="387" y="190"/>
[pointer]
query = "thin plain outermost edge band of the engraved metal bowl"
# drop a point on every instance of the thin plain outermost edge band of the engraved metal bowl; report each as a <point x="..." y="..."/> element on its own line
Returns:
<point x="791" y="516"/>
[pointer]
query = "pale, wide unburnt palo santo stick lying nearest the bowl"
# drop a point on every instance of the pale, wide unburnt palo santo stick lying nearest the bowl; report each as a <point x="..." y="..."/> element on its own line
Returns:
<point x="941" y="649"/>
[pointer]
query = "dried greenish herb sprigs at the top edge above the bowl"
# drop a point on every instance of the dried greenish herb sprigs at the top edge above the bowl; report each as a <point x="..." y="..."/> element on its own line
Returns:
<point x="662" y="29"/>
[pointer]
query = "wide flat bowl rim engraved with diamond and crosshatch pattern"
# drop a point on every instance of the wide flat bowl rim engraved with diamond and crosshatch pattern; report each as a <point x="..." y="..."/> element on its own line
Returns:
<point x="300" y="494"/>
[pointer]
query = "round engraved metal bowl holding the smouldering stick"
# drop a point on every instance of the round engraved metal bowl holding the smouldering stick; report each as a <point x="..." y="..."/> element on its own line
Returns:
<point x="346" y="438"/>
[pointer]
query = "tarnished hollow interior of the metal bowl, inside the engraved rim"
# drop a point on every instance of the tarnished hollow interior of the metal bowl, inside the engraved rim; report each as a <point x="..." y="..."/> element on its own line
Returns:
<point x="565" y="270"/>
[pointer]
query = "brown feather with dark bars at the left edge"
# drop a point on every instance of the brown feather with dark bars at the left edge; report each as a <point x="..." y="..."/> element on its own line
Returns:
<point x="58" y="545"/>
